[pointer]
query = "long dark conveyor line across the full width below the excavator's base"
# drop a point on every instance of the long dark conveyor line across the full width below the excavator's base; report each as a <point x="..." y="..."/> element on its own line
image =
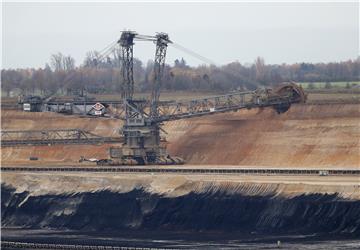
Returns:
<point x="190" y="170"/>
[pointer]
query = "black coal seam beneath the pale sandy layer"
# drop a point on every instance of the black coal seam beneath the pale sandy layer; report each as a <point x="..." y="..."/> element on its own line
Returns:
<point x="209" y="211"/>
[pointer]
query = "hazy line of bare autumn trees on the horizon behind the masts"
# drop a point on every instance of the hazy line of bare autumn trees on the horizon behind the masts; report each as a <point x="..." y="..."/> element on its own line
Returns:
<point x="99" y="75"/>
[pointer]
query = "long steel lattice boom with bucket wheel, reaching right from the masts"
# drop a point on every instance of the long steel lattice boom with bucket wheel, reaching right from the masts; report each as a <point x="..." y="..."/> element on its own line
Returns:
<point x="280" y="98"/>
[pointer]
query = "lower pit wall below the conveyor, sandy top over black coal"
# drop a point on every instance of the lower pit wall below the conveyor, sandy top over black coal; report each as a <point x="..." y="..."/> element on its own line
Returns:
<point x="163" y="203"/>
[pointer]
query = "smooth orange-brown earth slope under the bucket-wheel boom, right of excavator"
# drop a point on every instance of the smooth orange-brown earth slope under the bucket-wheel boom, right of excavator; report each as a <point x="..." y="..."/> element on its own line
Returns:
<point x="306" y="135"/>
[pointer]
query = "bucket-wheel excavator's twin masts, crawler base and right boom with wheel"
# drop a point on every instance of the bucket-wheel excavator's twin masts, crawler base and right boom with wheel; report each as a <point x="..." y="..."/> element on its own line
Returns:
<point x="143" y="118"/>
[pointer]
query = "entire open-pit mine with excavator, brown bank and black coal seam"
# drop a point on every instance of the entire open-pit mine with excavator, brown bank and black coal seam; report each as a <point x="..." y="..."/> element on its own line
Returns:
<point x="241" y="169"/>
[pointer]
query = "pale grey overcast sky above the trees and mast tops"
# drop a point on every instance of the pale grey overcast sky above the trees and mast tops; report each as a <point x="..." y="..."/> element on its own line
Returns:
<point x="222" y="32"/>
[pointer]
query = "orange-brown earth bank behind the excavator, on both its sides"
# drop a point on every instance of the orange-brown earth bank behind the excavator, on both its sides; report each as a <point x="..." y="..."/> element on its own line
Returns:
<point x="305" y="136"/>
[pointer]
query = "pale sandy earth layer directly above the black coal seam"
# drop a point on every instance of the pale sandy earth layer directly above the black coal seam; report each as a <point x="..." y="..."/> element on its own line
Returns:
<point x="173" y="185"/>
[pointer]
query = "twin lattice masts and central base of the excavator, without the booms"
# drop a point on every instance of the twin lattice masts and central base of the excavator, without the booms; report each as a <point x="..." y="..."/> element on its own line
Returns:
<point x="141" y="130"/>
